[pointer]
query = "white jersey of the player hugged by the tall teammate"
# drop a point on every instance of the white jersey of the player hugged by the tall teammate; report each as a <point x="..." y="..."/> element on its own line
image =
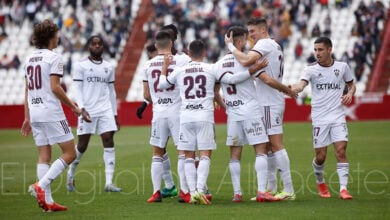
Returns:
<point x="240" y="99"/>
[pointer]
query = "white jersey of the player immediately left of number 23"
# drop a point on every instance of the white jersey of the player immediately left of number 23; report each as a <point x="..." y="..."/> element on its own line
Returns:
<point x="166" y="102"/>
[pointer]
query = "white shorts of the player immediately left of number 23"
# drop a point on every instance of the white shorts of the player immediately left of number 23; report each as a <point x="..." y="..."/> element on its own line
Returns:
<point x="162" y="129"/>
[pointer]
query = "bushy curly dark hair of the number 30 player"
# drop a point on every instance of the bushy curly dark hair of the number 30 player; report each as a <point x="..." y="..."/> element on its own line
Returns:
<point x="43" y="32"/>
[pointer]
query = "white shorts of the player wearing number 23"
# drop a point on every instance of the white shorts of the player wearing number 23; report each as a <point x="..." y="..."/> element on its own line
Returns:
<point x="197" y="135"/>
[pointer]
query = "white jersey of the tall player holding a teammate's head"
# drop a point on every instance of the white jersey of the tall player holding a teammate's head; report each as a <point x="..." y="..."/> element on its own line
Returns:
<point x="272" y="51"/>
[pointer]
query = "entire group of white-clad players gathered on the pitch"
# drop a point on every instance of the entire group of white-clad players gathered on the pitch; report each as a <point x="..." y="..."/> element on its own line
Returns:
<point x="183" y="91"/>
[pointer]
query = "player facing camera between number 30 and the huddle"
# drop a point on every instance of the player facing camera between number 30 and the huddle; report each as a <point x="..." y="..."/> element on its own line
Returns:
<point x="95" y="94"/>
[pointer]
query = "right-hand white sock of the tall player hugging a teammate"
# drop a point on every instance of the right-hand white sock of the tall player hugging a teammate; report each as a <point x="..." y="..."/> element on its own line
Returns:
<point x="283" y="164"/>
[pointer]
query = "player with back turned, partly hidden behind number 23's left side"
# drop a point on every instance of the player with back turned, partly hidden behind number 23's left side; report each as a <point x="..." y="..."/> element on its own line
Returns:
<point x="166" y="106"/>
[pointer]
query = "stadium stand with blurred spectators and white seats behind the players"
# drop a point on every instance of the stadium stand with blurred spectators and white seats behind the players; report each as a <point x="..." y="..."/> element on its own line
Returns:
<point x="208" y="20"/>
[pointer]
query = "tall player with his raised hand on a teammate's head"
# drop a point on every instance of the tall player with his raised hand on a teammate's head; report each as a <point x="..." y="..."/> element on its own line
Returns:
<point x="270" y="94"/>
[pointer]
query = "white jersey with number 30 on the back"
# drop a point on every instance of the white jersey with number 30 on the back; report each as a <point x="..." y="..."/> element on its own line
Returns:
<point x="43" y="105"/>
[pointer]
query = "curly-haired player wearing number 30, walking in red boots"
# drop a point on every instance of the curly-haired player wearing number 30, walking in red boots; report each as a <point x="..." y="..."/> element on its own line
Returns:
<point x="43" y="115"/>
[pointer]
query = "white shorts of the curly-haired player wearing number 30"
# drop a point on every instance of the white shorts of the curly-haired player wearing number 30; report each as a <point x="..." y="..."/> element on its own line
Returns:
<point x="51" y="132"/>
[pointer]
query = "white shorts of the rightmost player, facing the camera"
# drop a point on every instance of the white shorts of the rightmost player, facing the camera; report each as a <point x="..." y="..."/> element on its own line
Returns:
<point x="324" y="135"/>
